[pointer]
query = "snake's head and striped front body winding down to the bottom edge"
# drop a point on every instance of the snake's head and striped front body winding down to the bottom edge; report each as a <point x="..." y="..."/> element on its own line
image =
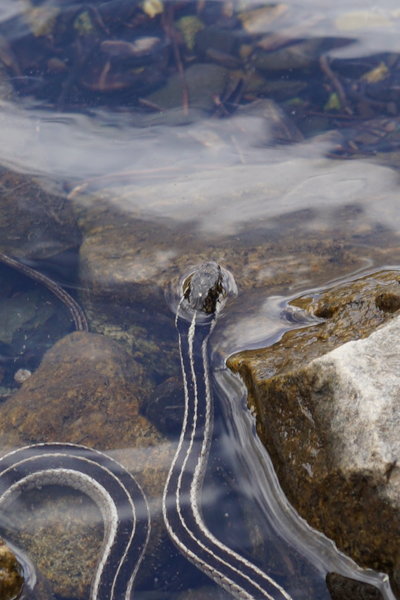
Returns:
<point x="181" y="502"/>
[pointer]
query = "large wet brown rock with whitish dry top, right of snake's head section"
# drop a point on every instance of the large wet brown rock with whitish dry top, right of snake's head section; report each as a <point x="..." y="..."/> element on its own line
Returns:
<point x="327" y="403"/>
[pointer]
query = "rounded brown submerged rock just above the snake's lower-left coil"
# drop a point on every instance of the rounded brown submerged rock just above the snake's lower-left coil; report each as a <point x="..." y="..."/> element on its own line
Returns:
<point x="85" y="391"/>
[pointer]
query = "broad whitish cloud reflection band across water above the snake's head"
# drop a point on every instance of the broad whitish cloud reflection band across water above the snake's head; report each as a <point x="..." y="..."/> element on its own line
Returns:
<point x="177" y="177"/>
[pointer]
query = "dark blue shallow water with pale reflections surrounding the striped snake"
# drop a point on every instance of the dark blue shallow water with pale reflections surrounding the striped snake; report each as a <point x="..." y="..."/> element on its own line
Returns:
<point x="285" y="172"/>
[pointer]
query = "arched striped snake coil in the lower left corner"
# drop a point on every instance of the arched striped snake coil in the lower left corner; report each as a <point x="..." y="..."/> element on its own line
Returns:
<point x="116" y="493"/>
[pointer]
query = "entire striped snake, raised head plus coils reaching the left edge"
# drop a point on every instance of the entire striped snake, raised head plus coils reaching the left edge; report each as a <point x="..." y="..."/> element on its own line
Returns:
<point x="115" y="491"/>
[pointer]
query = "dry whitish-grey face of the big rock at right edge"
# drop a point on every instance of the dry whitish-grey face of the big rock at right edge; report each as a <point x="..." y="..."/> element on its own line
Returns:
<point x="357" y="395"/>
